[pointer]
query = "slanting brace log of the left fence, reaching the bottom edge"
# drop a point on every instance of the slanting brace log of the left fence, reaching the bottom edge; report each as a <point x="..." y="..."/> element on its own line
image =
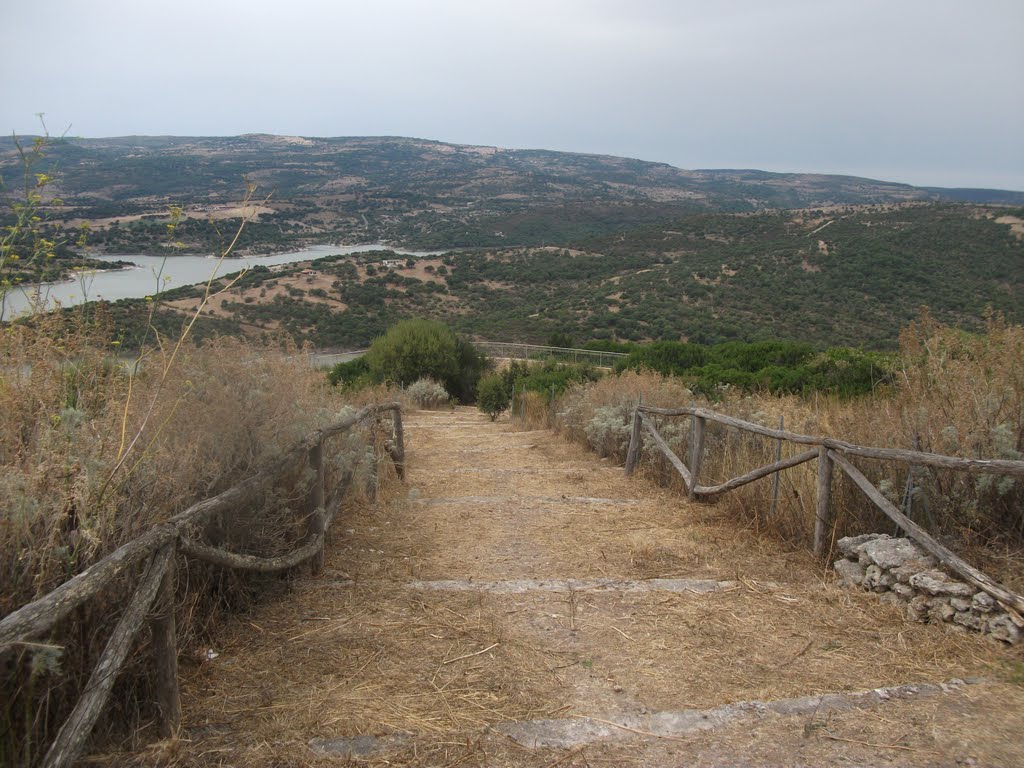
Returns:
<point x="73" y="735"/>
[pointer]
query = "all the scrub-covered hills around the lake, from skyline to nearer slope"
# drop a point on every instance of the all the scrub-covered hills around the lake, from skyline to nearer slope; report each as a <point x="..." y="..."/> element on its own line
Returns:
<point x="590" y="246"/>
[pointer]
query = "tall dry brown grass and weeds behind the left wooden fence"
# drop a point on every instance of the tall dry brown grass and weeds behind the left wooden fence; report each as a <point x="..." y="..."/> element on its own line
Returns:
<point x="94" y="454"/>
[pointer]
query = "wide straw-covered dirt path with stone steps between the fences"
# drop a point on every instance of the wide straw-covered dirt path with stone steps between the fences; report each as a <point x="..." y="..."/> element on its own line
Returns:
<point x="521" y="603"/>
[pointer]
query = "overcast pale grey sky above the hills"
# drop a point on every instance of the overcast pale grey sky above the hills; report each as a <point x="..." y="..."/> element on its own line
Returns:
<point x="923" y="92"/>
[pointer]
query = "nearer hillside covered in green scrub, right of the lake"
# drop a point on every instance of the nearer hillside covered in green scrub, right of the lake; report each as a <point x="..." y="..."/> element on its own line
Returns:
<point x="705" y="279"/>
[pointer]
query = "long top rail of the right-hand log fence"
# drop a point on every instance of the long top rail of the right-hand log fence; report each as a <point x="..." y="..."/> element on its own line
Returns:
<point x="978" y="466"/>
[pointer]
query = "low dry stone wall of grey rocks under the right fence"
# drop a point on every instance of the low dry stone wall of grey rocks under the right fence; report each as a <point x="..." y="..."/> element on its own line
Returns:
<point x="902" y="573"/>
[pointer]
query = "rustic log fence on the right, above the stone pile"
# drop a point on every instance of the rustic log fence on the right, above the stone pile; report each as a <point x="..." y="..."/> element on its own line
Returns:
<point x="829" y="453"/>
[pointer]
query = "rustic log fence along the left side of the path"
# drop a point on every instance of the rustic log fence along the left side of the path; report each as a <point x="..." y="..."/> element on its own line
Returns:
<point x="158" y="548"/>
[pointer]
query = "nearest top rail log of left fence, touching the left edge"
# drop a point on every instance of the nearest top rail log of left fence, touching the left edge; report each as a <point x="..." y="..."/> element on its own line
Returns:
<point x="41" y="615"/>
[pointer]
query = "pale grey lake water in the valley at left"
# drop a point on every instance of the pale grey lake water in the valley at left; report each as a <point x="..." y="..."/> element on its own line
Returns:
<point x="170" y="272"/>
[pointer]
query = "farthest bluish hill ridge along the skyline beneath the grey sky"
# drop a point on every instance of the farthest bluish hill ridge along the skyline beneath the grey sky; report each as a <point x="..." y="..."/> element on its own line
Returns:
<point x="401" y="174"/>
